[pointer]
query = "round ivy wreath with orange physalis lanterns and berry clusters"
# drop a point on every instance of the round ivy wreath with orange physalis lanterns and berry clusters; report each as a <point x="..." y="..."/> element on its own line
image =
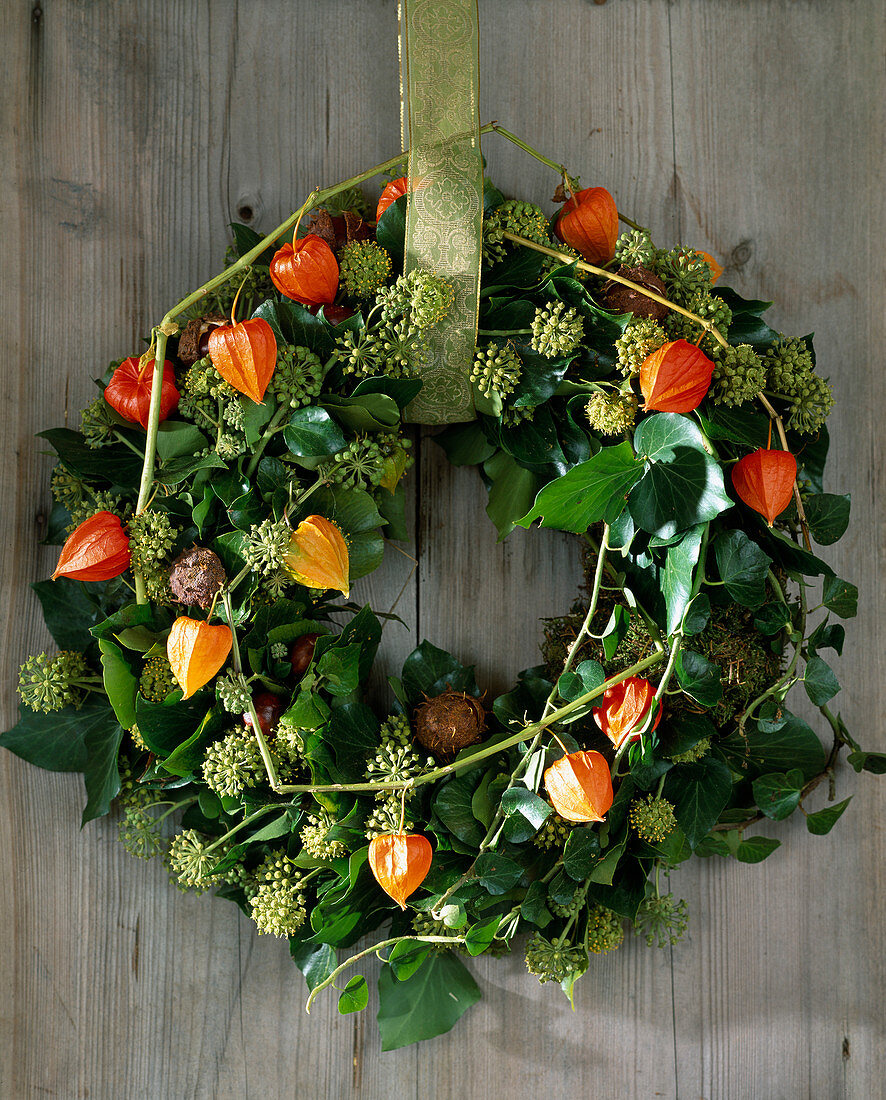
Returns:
<point x="228" y="487"/>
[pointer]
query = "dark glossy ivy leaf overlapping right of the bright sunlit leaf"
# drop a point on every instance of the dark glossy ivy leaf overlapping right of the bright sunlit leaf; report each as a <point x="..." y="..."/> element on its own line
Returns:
<point x="680" y="493"/>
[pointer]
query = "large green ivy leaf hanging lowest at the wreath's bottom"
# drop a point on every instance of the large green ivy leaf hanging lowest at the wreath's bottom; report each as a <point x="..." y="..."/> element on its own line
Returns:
<point x="429" y="1004"/>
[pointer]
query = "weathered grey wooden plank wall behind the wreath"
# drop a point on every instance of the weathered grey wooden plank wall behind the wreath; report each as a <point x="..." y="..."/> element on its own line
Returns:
<point x="134" y="133"/>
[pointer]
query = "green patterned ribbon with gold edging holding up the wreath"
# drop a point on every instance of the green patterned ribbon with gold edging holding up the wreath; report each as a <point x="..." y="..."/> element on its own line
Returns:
<point x="445" y="214"/>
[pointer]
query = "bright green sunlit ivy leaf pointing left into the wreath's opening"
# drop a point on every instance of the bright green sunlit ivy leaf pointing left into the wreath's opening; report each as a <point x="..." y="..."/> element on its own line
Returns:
<point x="593" y="491"/>
